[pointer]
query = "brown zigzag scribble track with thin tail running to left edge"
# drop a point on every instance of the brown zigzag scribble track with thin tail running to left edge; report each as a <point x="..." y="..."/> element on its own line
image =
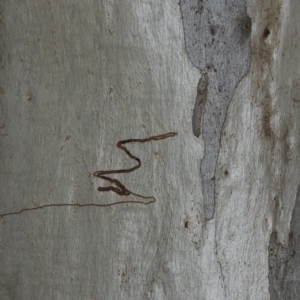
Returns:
<point x="119" y="188"/>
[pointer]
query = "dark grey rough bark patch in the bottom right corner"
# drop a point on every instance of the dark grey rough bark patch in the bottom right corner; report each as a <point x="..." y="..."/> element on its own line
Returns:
<point x="284" y="263"/>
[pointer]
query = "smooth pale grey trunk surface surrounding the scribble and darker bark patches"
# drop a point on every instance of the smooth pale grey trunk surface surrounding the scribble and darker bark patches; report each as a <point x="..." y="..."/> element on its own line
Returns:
<point x="78" y="76"/>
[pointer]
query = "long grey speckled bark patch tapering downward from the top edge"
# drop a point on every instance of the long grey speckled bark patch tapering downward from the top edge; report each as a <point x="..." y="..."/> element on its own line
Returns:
<point x="217" y="41"/>
